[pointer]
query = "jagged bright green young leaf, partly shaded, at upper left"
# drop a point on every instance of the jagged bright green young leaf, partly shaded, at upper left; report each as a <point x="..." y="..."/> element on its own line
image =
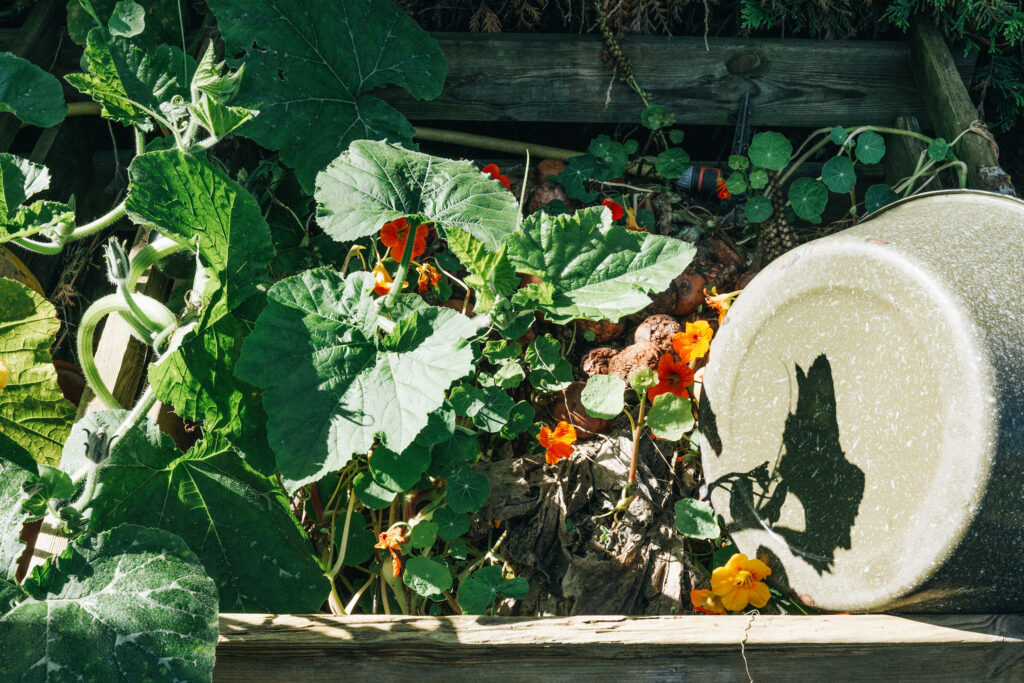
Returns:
<point x="132" y="82"/>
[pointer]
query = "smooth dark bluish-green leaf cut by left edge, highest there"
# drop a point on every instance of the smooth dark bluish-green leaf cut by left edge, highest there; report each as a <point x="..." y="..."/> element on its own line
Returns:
<point x="30" y="94"/>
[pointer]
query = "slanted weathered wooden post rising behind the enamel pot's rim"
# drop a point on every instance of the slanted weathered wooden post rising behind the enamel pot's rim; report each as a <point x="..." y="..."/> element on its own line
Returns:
<point x="950" y="106"/>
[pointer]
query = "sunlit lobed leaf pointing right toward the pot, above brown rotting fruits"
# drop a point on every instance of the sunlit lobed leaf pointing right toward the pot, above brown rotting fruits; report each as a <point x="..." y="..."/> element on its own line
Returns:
<point x="591" y="269"/>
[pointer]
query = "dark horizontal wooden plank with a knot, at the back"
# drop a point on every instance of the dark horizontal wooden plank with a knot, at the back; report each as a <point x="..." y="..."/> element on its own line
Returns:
<point x="807" y="83"/>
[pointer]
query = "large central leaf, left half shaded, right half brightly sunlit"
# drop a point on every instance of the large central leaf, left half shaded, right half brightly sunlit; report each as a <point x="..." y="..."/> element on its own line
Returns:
<point x="332" y="387"/>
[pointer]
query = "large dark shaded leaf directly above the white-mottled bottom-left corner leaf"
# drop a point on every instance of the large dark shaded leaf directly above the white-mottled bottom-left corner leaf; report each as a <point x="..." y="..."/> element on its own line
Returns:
<point x="238" y="522"/>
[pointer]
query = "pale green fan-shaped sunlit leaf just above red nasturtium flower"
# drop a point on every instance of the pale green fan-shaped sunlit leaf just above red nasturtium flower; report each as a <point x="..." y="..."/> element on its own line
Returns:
<point x="375" y="183"/>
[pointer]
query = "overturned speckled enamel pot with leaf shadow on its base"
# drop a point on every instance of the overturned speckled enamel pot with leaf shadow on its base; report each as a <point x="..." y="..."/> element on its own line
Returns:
<point x="863" y="412"/>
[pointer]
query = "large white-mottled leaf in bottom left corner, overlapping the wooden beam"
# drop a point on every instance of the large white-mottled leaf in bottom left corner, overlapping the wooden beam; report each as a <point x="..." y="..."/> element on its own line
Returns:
<point x="131" y="605"/>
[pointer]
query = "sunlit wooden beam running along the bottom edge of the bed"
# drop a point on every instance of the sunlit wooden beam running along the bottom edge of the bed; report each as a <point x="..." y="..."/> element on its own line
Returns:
<point x="319" y="648"/>
